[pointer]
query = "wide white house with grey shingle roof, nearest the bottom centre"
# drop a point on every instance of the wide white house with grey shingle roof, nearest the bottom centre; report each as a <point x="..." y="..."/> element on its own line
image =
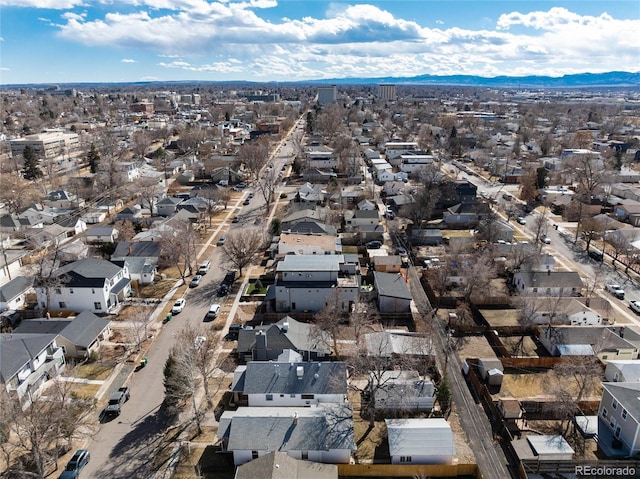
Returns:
<point x="321" y="433"/>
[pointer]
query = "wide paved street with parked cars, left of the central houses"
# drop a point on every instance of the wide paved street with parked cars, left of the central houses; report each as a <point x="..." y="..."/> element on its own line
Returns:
<point x="124" y="447"/>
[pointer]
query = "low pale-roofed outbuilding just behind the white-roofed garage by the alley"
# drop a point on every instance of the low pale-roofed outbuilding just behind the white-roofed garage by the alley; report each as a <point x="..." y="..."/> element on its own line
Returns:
<point x="402" y="392"/>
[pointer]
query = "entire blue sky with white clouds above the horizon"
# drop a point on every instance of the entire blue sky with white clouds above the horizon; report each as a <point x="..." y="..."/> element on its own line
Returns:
<point x="58" y="41"/>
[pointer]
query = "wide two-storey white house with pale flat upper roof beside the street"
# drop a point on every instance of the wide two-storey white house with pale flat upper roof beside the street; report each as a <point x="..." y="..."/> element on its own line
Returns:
<point x="305" y="282"/>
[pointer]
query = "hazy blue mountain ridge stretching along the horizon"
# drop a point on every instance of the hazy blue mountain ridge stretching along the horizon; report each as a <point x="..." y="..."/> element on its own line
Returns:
<point x="618" y="79"/>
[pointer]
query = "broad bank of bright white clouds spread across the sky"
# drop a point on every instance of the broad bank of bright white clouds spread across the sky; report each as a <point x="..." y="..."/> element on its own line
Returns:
<point x="356" y="40"/>
